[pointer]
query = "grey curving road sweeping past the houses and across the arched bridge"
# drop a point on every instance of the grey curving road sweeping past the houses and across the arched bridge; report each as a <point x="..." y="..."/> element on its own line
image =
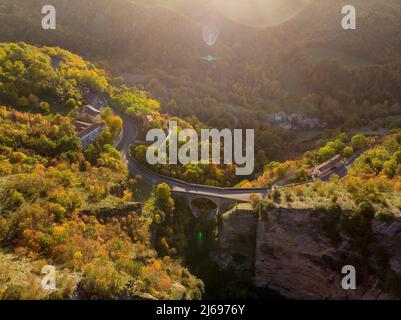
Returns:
<point x="130" y="134"/>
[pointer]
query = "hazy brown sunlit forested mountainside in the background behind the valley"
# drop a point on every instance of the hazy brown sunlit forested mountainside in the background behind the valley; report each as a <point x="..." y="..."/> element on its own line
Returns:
<point x="306" y="65"/>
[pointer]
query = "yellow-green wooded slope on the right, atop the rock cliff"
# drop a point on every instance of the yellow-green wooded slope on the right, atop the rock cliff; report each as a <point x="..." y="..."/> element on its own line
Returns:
<point x="373" y="170"/>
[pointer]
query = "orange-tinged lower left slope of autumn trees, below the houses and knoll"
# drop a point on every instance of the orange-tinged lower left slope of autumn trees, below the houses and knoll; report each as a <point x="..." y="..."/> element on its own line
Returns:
<point x="48" y="214"/>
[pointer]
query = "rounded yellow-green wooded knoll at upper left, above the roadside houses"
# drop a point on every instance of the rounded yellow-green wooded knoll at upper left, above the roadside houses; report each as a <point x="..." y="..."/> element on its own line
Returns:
<point x="36" y="79"/>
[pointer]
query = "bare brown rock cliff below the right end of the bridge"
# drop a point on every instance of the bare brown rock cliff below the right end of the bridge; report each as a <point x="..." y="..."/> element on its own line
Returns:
<point x="296" y="257"/>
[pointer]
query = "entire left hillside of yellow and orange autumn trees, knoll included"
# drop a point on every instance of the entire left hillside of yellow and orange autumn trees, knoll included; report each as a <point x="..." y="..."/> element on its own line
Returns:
<point x="68" y="207"/>
